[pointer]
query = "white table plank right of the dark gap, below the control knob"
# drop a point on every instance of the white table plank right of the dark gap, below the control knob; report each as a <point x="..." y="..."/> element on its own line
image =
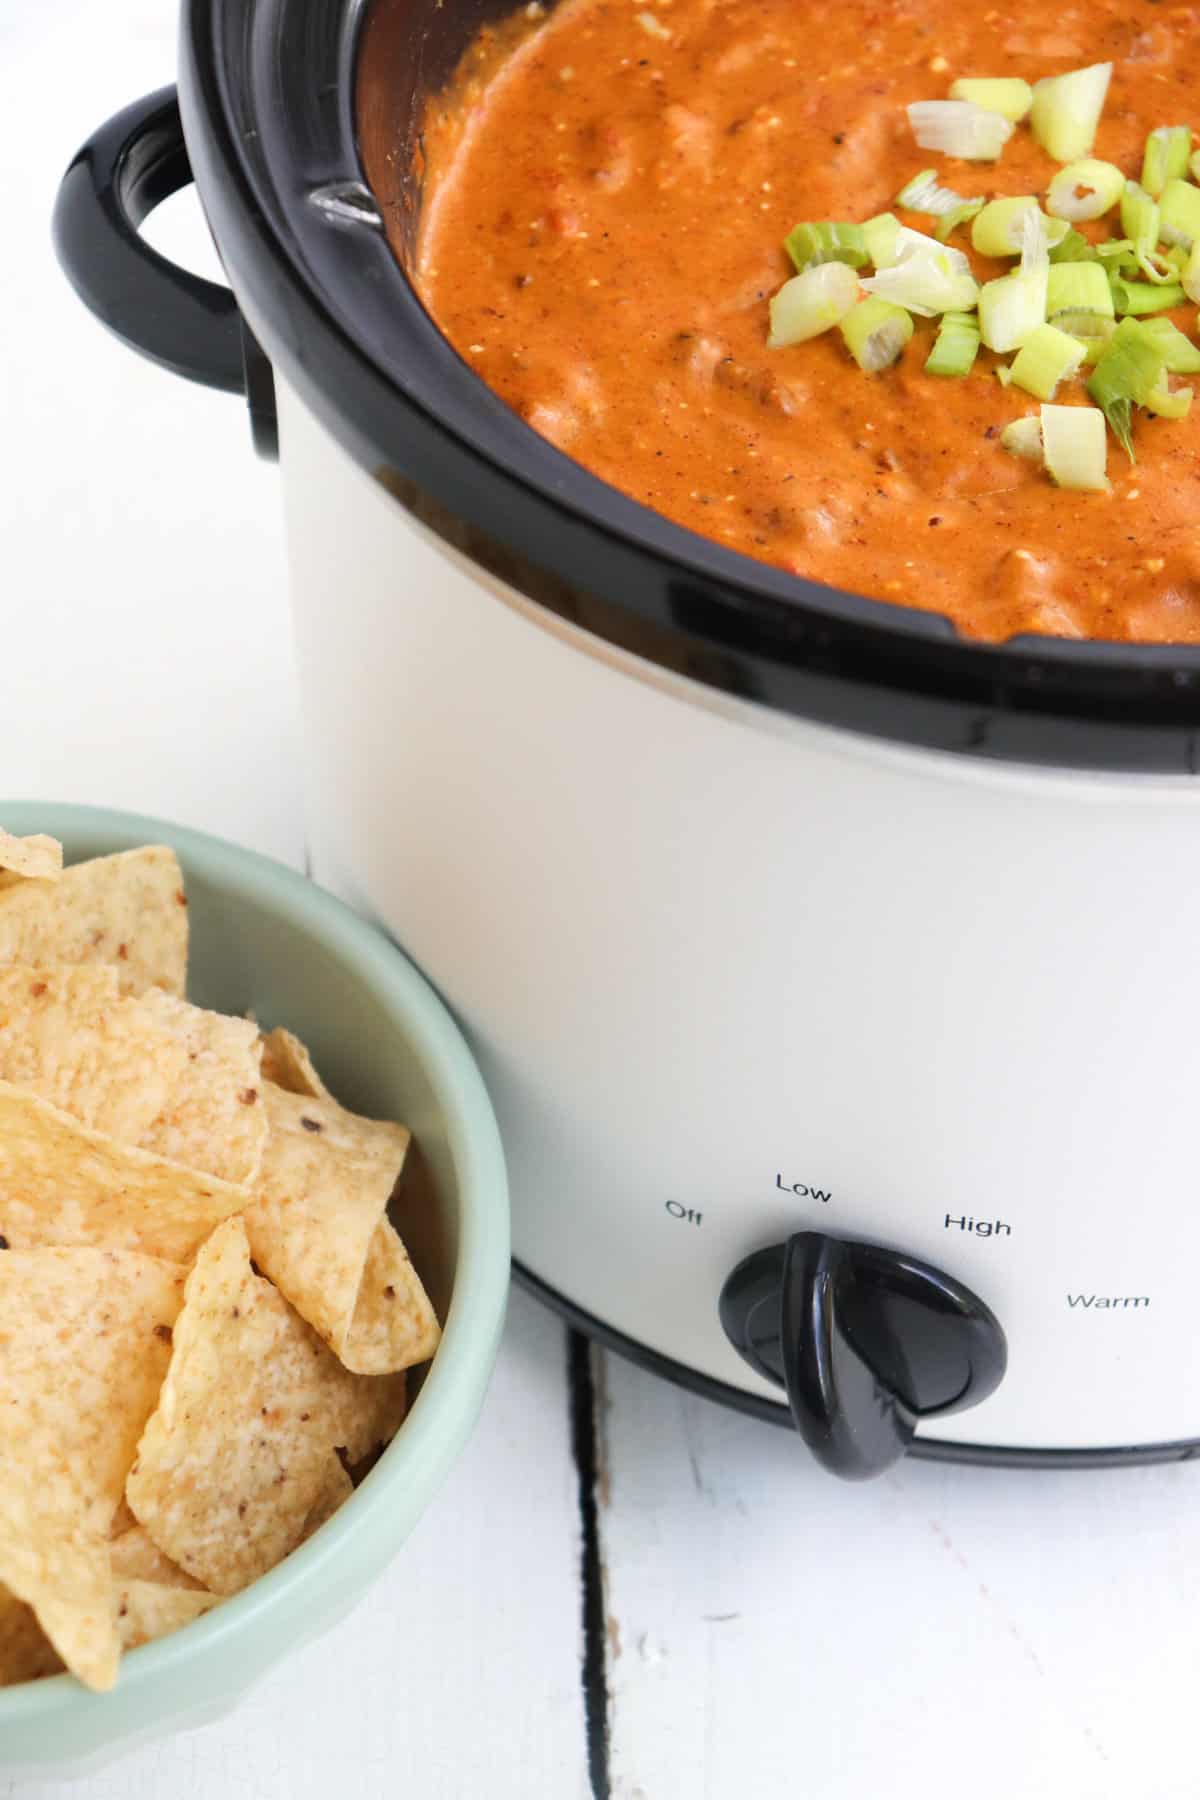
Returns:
<point x="942" y="1632"/>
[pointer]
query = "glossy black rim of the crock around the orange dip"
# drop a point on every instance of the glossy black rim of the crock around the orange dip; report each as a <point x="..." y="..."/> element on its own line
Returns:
<point x="735" y="624"/>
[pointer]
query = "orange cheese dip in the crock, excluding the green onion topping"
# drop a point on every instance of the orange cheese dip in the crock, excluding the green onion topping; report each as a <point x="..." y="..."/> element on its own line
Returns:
<point x="604" y="231"/>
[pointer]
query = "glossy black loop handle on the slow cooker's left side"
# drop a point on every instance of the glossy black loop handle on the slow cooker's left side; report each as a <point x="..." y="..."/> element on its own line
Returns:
<point x="177" y="319"/>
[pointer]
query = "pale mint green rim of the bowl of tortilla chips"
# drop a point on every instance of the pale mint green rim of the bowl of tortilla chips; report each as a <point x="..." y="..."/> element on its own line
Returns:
<point x="424" y="1450"/>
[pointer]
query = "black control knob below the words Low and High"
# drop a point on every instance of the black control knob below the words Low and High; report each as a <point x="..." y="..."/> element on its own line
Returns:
<point x="866" y="1342"/>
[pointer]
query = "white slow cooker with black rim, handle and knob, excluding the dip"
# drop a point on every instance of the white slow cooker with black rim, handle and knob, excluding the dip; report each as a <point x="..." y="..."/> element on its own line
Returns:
<point x="834" y="976"/>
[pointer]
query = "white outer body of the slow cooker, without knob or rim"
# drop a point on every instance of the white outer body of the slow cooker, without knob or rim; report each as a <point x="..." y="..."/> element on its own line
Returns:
<point x="731" y="975"/>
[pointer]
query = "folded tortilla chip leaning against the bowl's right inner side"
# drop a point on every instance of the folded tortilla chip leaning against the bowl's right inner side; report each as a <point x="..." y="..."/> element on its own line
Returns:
<point x="318" y="1225"/>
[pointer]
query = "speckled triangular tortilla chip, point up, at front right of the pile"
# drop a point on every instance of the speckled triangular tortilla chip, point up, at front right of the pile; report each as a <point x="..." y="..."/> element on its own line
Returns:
<point x="237" y="1455"/>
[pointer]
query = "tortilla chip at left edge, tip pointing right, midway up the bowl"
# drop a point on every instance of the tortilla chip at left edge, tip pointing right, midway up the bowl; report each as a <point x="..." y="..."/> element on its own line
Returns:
<point x="62" y="1183"/>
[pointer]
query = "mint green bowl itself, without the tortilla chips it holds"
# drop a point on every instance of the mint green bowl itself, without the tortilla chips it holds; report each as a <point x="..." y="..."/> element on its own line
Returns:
<point x="265" y="940"/>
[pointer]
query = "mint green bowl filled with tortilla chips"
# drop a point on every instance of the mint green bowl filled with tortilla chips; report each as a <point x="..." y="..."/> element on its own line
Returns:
<point x="255" y="1261"/>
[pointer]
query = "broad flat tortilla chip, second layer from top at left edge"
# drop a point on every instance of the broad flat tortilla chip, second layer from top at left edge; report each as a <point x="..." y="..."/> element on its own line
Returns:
<point x="148" y="1070"/>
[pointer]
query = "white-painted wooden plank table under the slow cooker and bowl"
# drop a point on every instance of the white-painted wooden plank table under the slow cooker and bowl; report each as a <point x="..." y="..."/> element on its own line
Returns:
<point x="760" y="1630"/>
